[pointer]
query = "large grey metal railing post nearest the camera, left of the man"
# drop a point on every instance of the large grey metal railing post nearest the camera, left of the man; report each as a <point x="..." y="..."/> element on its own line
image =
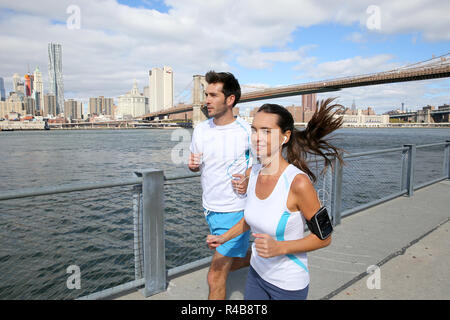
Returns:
<point x="153" y="232"/>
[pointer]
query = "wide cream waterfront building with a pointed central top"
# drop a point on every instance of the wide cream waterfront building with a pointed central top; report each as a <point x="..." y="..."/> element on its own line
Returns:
<point x="132" y="104"/>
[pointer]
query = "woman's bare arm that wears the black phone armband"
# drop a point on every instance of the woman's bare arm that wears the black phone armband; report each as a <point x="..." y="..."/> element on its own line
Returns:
<point x="307" y="203"/>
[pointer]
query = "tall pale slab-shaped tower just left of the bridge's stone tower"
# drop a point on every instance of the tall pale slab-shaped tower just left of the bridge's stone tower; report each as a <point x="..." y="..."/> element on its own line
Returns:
<point x="161" y="88"/>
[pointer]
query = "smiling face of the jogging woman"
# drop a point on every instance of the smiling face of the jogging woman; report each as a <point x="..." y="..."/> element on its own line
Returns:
<point x="266" y="134"/>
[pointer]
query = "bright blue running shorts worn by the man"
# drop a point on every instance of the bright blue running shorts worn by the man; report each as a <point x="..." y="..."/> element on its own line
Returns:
<point x="221" y="222"/>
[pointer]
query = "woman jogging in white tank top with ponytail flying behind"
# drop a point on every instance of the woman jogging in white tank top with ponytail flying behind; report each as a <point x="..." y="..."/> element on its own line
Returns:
<point x="280" y="196"/>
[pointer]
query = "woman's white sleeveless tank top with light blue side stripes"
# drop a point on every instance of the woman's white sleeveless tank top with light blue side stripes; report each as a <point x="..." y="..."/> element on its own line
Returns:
<point x="271" y="216"/>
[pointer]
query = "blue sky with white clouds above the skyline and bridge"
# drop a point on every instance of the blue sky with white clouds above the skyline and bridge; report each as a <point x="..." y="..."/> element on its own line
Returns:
<point x="106" y="44"/>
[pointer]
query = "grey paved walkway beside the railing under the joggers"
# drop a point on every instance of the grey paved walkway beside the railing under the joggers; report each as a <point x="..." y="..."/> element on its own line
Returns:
<point x="408" y="237"/>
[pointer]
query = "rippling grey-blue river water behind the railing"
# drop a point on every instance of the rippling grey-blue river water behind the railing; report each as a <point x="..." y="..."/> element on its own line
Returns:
<point x="42" y="236"/>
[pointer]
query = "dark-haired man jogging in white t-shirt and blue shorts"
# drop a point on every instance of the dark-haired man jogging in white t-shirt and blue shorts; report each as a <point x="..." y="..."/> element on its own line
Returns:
<point x="220" y="149"/>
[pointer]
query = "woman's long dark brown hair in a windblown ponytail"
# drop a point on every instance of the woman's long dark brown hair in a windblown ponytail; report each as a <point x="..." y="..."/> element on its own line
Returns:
<point x="309" y="141"/>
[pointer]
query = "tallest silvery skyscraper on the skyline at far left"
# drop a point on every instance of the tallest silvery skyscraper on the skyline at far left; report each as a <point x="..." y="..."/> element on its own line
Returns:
<point x="55" y="75"/>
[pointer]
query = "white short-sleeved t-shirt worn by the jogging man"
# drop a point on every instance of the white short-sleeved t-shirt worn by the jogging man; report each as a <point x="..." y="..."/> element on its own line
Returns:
<point x="226" y="151"/>
